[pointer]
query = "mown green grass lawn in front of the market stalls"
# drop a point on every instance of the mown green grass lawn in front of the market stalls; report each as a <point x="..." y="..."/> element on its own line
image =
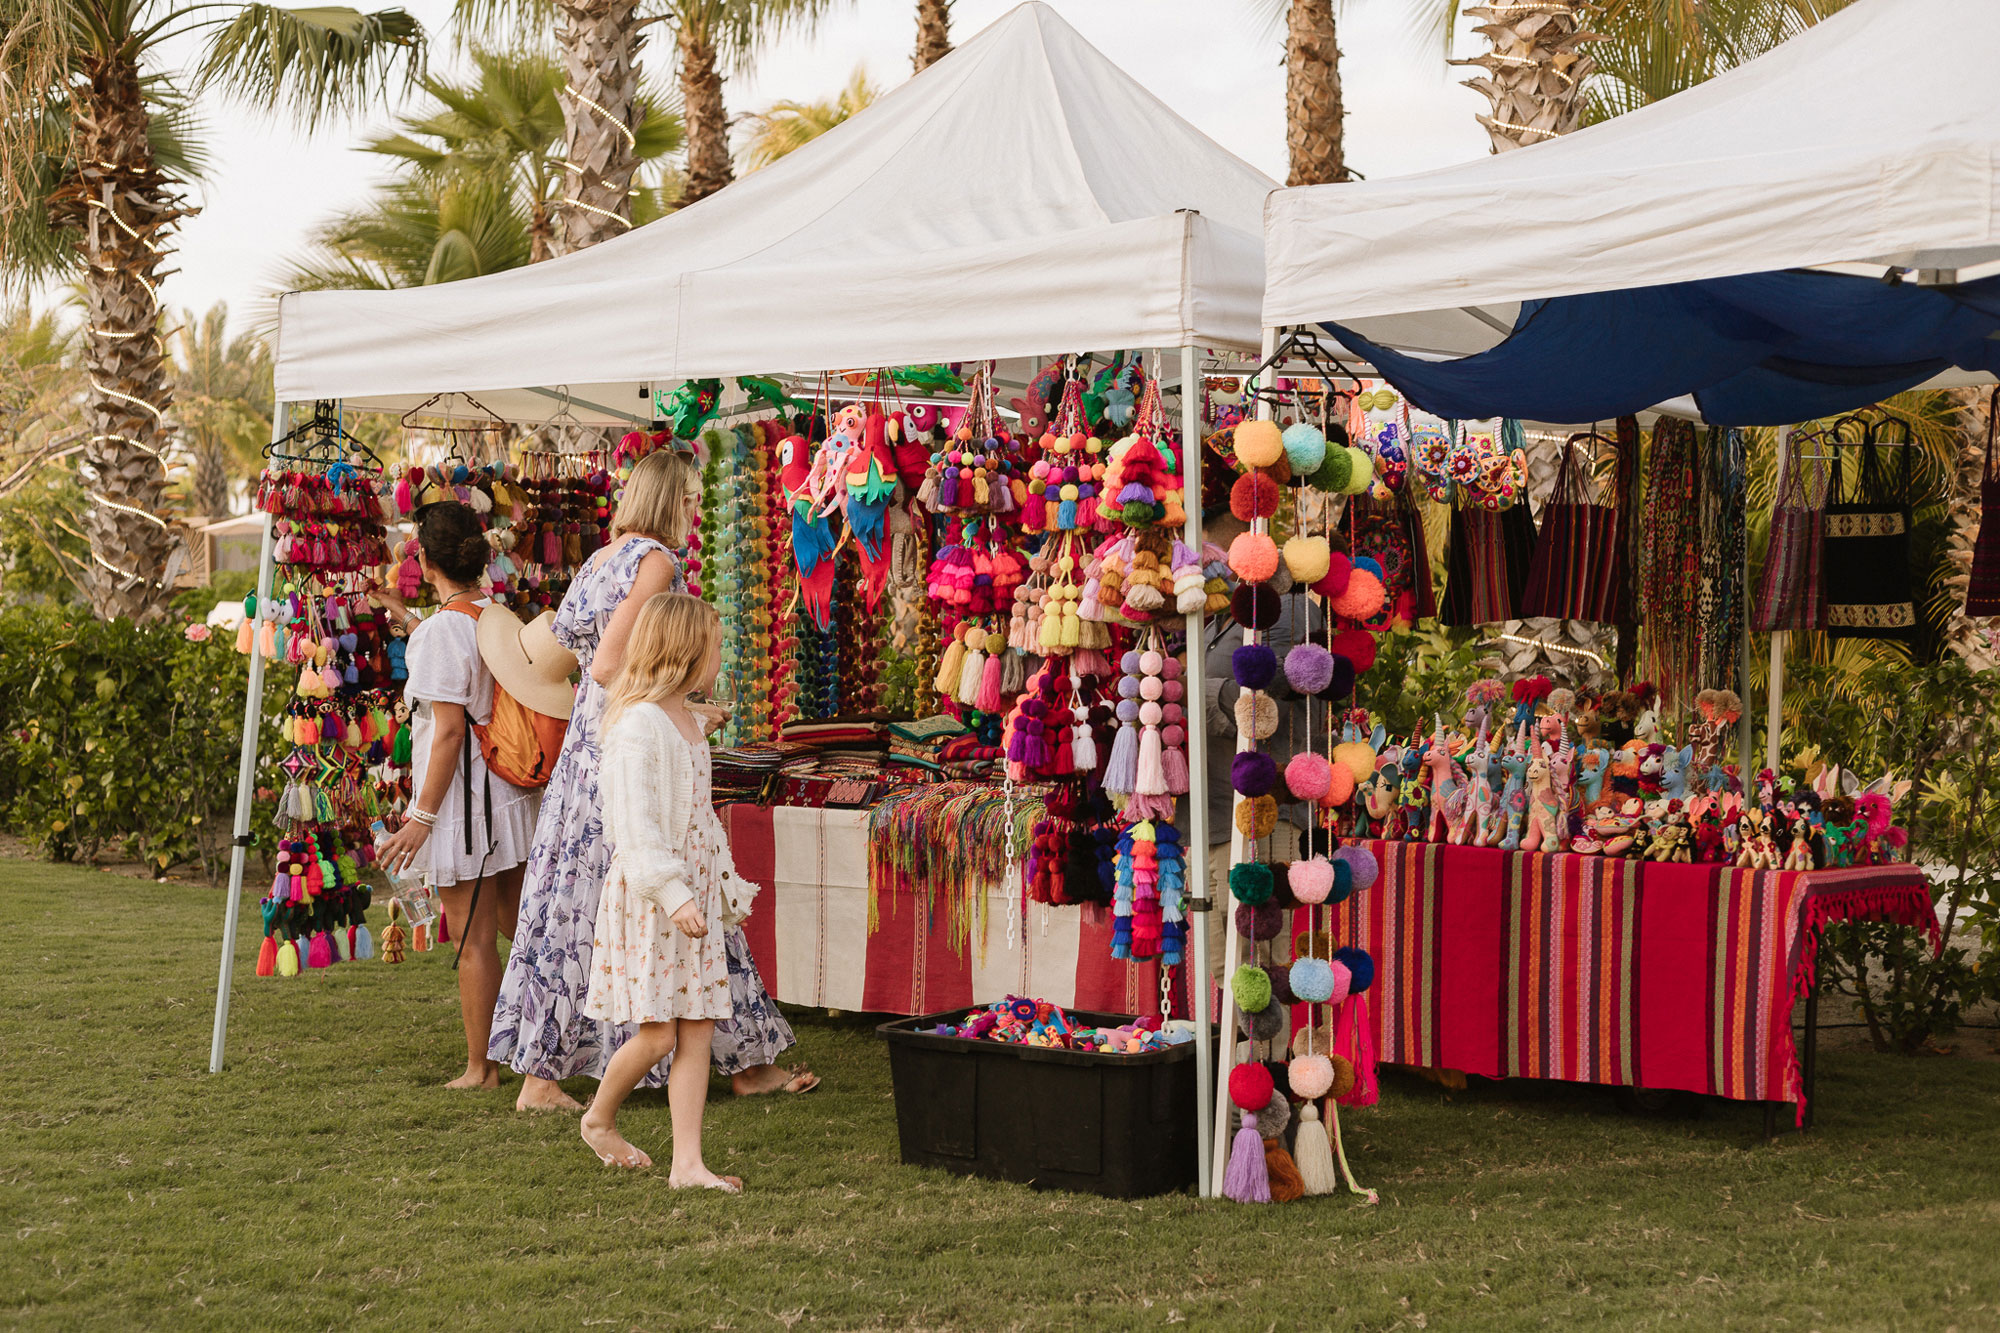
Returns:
<point x="327" y="1182"/>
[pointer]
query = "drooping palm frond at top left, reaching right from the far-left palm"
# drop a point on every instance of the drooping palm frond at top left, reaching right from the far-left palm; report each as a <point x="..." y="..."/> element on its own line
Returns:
<point x="315" y="63"/>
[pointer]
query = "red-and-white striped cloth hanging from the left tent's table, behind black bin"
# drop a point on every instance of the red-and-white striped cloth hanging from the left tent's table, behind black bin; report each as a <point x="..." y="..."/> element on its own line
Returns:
<point x="809" y="932"/>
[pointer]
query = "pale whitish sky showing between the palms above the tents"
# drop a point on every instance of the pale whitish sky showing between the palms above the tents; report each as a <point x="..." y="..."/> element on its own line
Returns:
<point x="1213" y="61"/>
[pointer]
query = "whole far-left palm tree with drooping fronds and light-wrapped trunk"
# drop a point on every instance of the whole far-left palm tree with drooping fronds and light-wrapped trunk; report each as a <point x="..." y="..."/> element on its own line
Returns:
<point x="93" y="163"/>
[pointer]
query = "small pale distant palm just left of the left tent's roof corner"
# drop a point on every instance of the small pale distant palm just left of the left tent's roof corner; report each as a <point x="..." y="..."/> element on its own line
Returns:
<point x="223" y="399"/>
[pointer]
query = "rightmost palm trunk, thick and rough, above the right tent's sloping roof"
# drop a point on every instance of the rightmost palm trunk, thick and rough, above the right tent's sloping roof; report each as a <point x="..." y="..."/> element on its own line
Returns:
<point x="1535" y="71"/>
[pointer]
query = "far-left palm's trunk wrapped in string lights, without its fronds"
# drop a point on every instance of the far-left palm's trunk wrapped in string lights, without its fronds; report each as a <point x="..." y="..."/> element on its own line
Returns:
<point x="125" y="209"/>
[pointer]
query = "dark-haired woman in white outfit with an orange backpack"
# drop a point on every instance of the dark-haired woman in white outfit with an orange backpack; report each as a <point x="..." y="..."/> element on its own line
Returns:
<point x="475" y="864"/>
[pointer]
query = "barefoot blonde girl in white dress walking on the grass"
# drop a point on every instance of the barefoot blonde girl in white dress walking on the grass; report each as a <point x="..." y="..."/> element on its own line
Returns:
<point x="659" y="956"/>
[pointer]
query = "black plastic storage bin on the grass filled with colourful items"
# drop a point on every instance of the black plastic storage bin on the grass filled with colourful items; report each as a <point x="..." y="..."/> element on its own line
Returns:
<point x="1117" y="1126"/>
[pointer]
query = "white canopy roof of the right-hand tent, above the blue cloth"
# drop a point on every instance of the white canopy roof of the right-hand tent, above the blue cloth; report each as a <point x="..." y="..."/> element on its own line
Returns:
<point x="1867" y="143"/>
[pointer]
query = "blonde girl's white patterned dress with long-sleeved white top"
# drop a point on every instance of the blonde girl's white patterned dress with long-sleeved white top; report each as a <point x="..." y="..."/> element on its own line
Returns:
<point x="669" y="852"/>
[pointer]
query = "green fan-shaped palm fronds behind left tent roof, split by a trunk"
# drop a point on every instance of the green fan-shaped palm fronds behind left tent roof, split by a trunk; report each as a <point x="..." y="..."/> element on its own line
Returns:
<point x="509" y="123"/>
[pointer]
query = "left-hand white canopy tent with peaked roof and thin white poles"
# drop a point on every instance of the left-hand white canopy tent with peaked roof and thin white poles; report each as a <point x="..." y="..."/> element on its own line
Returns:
<point x="1019" y="199"/>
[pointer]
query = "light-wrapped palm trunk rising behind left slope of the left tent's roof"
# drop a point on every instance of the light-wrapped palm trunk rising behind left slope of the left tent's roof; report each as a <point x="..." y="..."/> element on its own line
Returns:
<point x="599" y="109"/>
